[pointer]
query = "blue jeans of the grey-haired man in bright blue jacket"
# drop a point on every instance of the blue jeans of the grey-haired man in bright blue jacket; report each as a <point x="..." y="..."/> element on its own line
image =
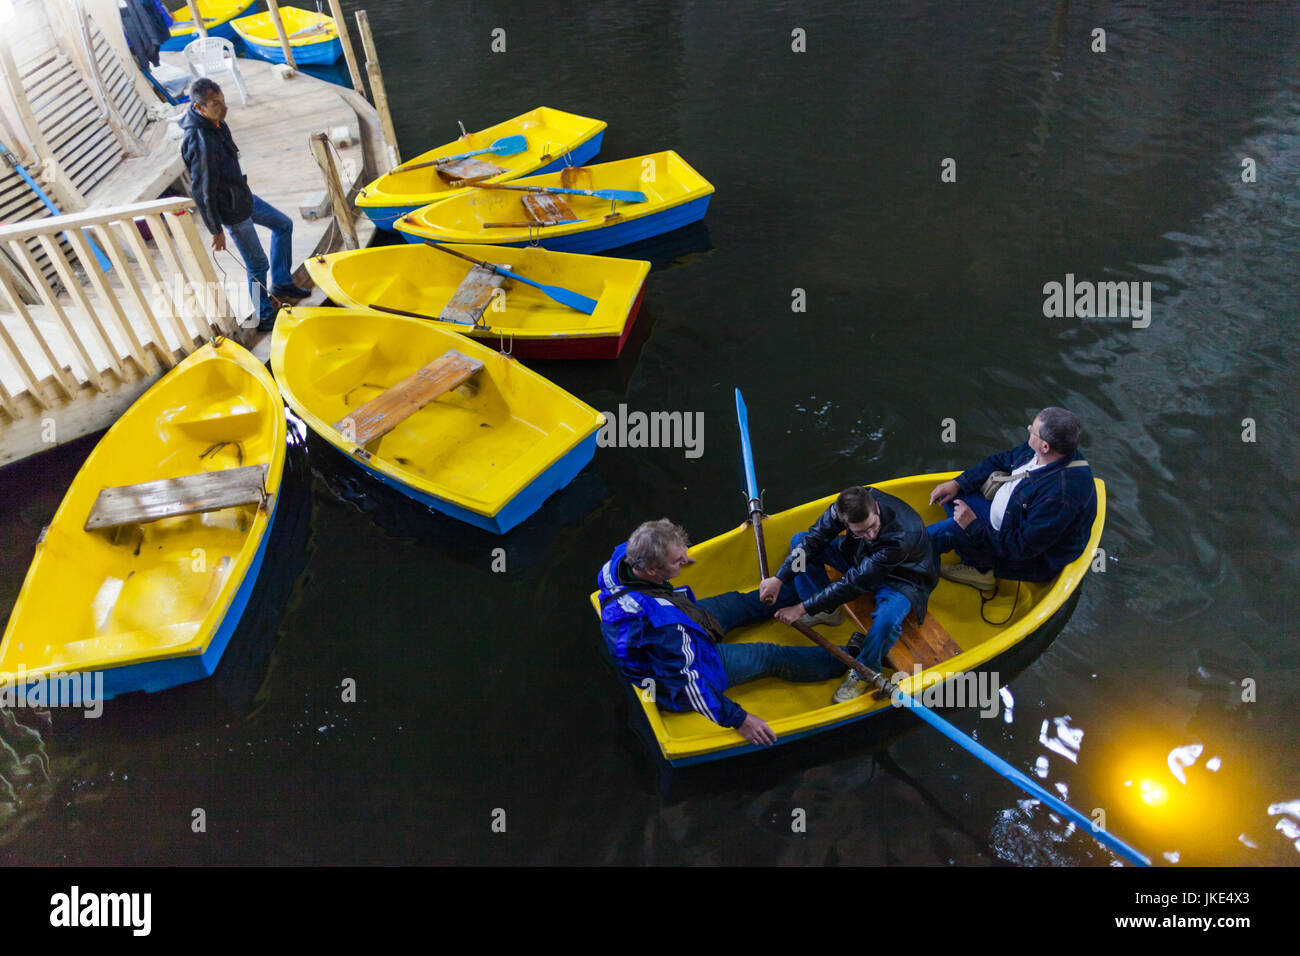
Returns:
<point x="746" y="663"/>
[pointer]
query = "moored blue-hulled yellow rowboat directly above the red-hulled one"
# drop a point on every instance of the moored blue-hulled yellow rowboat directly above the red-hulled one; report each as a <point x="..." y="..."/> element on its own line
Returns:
<point x="677" y="196"/>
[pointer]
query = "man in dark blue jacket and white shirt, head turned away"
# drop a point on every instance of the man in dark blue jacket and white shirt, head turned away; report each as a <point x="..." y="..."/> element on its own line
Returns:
<point x="1037" y="522"/>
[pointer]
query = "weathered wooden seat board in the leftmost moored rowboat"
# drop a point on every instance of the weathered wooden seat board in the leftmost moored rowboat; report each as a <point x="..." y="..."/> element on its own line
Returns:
<point x="149" y="501"/>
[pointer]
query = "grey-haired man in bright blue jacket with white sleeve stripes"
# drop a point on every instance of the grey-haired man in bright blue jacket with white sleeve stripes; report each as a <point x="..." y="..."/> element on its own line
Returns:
<point x="661" y="633"/>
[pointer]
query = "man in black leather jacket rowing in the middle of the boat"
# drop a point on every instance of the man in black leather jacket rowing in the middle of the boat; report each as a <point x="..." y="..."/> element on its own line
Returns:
<point x="879" y="546"/>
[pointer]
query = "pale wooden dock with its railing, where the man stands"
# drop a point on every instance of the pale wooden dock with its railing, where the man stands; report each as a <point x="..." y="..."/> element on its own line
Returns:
<point x="77" y="344"/>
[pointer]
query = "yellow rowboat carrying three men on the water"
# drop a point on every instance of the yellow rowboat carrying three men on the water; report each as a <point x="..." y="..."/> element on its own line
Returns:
<point x="729" y="563"/>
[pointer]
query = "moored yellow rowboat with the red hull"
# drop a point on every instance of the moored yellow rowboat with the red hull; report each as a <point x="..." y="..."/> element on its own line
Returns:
<point x="423" y="282"/>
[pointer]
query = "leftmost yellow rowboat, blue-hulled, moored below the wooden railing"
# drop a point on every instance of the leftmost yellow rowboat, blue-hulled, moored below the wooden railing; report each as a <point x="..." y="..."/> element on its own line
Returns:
<point x="146" y="583"/>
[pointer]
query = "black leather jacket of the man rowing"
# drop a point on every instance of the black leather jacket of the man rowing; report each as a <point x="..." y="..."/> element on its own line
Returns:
<point x="902" y="557"/>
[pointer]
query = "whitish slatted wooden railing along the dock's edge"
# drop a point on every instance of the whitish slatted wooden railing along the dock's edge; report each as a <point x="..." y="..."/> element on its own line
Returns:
<point x="161" y="300"/>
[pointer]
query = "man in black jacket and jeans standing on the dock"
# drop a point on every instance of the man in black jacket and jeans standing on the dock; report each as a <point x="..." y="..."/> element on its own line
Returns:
<point x="224" y="200"/>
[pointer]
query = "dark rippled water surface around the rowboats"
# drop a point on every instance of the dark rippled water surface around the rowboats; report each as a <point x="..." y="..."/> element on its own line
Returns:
<point x="925" y="302"/>
